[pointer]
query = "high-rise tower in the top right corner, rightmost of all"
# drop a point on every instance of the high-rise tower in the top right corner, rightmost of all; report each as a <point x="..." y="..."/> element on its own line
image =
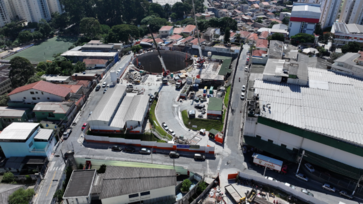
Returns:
<point x="352" y="12"/>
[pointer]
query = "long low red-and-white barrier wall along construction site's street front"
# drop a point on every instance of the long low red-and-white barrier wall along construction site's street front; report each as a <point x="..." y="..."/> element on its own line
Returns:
<point x="150" y="144"/>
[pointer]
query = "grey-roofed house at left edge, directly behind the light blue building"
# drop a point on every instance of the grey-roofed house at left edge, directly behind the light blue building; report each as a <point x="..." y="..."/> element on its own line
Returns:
<point x="9" y="115"/>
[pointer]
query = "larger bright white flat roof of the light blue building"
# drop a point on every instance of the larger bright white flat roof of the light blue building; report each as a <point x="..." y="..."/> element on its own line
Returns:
<point x="18" y="131"/>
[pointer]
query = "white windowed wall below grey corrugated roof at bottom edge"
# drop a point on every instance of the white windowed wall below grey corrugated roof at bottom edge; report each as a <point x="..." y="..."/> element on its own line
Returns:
<point x="155" y="193"/>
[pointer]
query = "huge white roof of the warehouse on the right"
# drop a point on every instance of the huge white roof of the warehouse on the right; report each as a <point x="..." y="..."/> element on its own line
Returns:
<point x="331" y="105"/>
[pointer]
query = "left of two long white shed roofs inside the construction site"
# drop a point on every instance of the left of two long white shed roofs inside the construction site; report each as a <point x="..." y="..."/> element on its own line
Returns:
<point x="108" y="104"/>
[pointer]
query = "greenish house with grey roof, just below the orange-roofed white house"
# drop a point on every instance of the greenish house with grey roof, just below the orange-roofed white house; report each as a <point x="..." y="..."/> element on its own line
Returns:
<point x="55" y="111"/>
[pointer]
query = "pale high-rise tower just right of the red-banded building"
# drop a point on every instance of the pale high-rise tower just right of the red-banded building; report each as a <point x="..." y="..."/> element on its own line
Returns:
<point x="329" y="12"/>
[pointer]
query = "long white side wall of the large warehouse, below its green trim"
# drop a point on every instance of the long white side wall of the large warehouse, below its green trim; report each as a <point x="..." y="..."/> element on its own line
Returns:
<point x="293" y="141"/>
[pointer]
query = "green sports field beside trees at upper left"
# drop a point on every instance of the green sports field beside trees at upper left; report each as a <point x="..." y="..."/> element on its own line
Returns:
<point x="45" y="50"/>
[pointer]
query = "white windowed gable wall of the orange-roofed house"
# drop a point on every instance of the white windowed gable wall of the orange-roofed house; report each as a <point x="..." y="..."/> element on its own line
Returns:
<point x="39" y="97"/>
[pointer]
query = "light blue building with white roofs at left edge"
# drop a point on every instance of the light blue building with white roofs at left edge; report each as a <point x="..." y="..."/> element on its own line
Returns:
<point x="21" y="139"/>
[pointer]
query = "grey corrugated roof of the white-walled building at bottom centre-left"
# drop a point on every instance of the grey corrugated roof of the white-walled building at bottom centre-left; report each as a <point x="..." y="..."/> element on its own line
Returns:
<point x="126" y="180"/>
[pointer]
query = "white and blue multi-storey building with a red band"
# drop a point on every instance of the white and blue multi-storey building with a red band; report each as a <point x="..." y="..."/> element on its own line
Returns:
<point x="303" y="18"/>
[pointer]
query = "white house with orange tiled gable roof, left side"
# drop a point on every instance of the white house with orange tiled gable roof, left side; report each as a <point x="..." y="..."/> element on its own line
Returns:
<point x="40" y="91"/>
